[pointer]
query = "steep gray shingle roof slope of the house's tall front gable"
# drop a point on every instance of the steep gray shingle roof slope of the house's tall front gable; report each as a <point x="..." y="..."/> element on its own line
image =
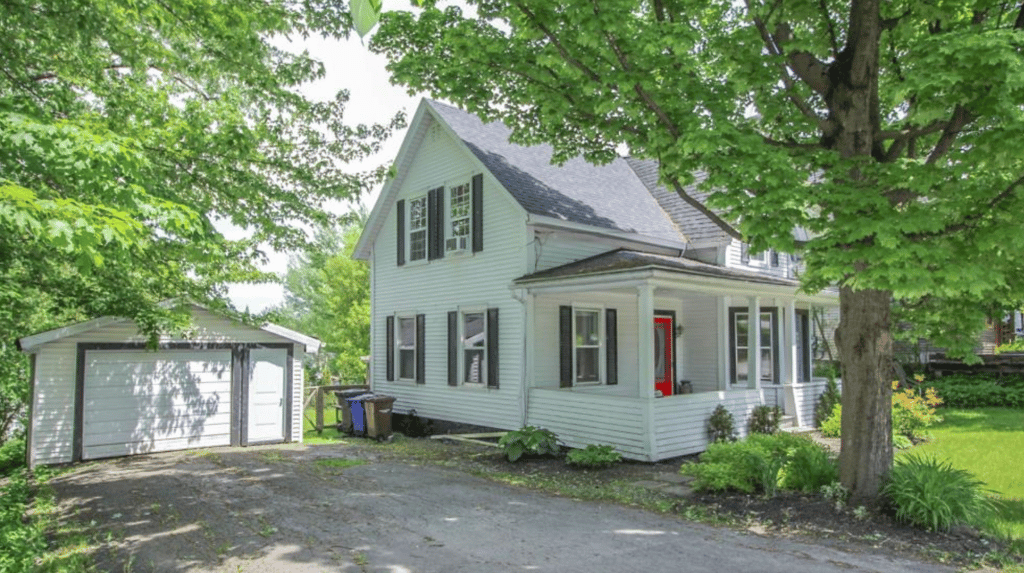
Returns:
<point x="610" y="197"/>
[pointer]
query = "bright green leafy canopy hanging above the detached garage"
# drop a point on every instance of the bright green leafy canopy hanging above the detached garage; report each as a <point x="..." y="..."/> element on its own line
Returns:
<point x="130" y="128"/>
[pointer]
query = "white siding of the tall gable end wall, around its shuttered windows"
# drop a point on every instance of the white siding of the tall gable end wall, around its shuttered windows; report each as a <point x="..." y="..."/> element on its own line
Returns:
<point x="436" y="288"/>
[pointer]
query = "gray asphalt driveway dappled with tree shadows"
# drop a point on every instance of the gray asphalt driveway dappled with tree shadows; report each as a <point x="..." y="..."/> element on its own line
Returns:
<point x="301" y="509"/>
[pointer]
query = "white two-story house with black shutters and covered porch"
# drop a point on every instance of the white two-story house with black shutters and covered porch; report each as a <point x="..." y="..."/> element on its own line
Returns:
<point x="508" y="292"/>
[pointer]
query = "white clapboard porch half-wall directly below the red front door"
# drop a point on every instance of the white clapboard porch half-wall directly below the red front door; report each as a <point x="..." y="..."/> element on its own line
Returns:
<point x="681" y="422"/>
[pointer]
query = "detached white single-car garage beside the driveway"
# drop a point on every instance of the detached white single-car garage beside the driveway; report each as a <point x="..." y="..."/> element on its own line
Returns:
<point x="99" y="392"/>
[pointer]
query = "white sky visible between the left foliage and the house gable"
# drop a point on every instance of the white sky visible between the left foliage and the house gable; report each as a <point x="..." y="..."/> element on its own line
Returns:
<point x="350" y="66"/>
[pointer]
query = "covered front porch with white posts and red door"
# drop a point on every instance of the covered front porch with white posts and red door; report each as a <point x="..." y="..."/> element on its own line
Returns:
<point x="638" y="358"/>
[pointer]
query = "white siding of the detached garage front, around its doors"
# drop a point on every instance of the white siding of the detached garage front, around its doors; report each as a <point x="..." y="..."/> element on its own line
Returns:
<point x="54" y="404"/>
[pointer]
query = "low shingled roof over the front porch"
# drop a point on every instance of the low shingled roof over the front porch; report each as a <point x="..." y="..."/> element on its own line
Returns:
<point x="623" y="260"/>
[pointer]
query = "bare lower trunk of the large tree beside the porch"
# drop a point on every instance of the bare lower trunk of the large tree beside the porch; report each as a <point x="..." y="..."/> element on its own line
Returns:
<point x="866" y="348"/>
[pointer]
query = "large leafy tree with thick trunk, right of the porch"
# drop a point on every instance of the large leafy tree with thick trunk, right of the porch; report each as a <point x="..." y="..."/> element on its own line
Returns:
<point x="889" y="133"/>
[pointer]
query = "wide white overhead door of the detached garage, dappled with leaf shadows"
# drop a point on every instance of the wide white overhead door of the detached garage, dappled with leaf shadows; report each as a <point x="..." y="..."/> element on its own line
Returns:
<point x="138" y="402"/>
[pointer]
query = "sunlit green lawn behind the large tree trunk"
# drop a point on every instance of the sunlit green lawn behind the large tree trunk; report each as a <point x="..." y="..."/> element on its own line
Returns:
<point x="990" y="444"/>
